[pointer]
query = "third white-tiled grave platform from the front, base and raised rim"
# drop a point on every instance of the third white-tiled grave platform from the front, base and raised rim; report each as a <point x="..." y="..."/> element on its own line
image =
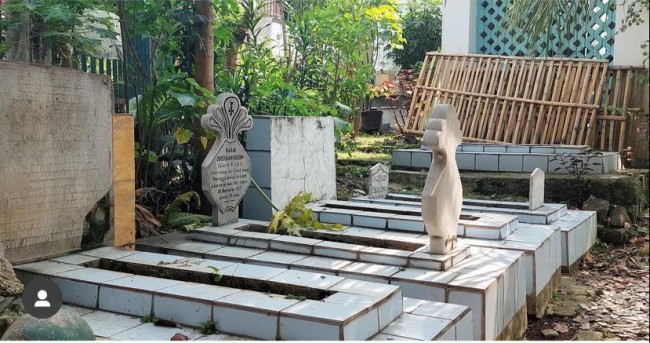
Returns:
<point x="540" y="244"/>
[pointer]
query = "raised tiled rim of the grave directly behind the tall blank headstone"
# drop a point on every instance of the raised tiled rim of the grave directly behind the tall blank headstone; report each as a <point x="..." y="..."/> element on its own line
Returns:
<point x="409" y="218"/>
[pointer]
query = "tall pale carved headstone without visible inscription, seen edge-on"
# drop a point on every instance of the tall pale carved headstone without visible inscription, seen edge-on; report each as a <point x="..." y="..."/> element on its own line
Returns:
<point x="442" y="197"/>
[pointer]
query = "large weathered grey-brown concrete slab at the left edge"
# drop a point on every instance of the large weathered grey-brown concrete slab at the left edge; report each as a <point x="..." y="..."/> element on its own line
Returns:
<point x="55" y="124"/>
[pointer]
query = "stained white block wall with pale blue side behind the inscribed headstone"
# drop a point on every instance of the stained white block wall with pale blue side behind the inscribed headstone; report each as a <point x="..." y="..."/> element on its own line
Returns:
<point x="289" y="155"/>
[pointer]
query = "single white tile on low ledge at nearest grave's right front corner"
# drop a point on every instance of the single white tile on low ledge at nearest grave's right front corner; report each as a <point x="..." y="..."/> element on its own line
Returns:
<point x="417" y="327"/>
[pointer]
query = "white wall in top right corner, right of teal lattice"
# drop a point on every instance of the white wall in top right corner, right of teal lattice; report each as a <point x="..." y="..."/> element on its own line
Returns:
<point x="627" y="47"/>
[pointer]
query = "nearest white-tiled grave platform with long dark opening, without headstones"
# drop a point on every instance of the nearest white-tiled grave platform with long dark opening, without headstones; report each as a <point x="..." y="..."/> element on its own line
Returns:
<point x="282" y="303"/>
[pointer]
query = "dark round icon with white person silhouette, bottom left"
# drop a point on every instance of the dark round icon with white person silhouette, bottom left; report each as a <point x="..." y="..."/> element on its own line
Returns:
<point x="42" y="298"/>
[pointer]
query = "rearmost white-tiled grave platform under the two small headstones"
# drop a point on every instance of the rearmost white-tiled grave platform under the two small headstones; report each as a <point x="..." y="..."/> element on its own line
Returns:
<point x="578" y="228"/>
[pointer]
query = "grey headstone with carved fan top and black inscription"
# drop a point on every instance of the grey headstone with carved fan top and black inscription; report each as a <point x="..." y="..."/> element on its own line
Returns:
<point x="227" y="168"/>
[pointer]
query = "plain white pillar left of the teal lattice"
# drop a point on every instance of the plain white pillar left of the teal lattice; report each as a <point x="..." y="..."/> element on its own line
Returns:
<point x="459" y="26"/>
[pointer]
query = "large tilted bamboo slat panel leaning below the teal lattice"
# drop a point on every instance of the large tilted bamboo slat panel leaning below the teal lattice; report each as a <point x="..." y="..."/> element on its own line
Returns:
<point x="512" y="99"/>
